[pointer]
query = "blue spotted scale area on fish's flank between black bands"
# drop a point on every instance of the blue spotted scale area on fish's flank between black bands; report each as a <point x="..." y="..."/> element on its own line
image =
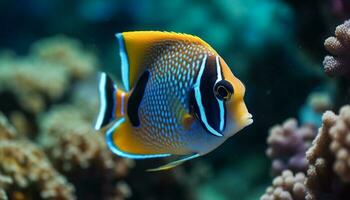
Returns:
<point x="173" y="67"/>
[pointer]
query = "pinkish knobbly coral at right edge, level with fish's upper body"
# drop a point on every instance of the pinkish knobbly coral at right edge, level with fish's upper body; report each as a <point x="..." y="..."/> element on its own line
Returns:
<point x="339" y="46"/>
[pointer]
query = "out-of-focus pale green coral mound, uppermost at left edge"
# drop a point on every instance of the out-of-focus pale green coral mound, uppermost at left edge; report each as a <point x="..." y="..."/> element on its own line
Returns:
<point x="44" y="75"/>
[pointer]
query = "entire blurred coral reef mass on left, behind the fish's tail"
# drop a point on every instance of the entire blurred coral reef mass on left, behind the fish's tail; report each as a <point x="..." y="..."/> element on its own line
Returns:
<point x="64" y="158"/>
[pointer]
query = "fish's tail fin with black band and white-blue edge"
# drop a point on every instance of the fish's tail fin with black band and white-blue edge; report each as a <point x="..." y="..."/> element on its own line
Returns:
<point x="112" y="101"/>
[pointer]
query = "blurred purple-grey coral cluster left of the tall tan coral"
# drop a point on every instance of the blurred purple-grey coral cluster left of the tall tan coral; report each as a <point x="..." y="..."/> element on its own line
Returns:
<point x="287" y="146"/>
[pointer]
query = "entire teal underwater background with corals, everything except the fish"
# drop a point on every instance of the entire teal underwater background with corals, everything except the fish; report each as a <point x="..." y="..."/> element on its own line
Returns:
<point x="293" y="57"/>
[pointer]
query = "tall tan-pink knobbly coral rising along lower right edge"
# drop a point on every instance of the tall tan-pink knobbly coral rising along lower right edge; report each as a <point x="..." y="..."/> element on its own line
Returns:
<point x="326" y="159"/>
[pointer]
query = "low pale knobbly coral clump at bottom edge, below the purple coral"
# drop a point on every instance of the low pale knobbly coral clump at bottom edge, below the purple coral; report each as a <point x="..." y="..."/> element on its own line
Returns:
<point x="286" y="187"/>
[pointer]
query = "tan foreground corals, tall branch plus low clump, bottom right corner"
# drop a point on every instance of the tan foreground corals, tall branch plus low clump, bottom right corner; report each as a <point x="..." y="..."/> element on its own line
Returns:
<point x="328" y="164"/>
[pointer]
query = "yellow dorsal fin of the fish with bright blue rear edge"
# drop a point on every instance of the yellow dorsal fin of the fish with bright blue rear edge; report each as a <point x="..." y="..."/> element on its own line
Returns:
<point x="133" y="47"/>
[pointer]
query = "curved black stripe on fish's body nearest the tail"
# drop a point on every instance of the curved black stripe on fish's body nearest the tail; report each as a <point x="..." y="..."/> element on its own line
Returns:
<point x="136" y="98"/>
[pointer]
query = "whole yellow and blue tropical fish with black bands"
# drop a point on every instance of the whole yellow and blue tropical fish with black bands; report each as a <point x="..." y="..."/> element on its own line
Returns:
<point x="178" y="98"/>
